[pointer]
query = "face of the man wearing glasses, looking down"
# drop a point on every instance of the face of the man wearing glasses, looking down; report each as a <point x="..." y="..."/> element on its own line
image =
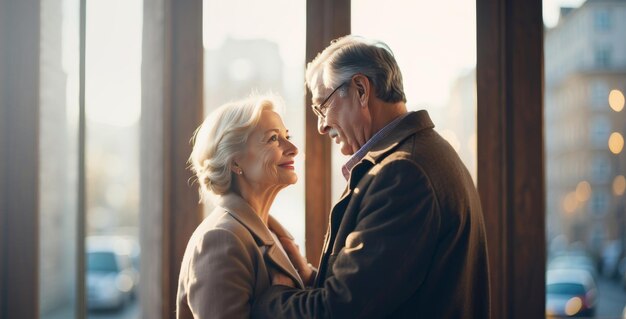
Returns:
<point x="343" y="117"/>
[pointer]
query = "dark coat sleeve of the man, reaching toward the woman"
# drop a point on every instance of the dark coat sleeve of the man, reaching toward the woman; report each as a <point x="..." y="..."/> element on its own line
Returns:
<point x="385" y="259"/>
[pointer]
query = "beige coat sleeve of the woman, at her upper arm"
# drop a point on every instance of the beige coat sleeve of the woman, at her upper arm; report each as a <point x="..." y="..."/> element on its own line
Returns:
<point x="221" y="276"/>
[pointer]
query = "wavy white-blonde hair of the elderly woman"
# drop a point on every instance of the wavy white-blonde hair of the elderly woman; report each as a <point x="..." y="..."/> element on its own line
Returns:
<point x="222" y="137"/>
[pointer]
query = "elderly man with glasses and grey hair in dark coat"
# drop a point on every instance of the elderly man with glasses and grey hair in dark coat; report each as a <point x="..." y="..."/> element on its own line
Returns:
<point x="407" y="238"/>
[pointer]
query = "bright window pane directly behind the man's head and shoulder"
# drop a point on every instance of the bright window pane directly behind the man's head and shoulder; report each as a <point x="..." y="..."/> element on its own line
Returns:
<point x="436" y="52"/>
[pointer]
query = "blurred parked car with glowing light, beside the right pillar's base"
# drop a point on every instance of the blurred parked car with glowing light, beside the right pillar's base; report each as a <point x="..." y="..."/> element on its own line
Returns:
<point x="570" y="293"/>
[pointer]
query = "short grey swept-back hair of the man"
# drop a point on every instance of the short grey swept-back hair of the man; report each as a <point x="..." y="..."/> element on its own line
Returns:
<point x="349" y="55"/>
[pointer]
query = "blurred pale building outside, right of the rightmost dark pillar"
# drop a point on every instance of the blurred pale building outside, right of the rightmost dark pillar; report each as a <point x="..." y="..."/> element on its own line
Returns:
<point x="585" y="78"/>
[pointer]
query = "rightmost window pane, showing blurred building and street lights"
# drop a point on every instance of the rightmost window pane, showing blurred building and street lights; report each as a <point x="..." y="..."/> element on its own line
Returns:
<point x="585" y="123"/>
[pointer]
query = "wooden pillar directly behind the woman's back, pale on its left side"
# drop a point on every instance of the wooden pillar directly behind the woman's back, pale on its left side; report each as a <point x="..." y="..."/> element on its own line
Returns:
<point x="172" y="80"/>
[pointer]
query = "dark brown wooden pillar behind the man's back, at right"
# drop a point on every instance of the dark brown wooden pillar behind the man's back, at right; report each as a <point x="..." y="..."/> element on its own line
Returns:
<point x="510" y="153"/>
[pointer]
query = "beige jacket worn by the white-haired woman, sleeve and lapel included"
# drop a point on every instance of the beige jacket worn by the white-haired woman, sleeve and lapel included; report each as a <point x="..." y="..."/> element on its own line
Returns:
<point x="228" y="262"/>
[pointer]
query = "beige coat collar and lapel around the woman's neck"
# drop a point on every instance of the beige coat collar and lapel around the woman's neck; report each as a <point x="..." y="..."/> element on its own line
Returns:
<point x="244" y="213"/>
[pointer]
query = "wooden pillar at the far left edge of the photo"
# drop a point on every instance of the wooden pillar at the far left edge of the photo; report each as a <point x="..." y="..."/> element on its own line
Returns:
<point x="19" y="158"/>
